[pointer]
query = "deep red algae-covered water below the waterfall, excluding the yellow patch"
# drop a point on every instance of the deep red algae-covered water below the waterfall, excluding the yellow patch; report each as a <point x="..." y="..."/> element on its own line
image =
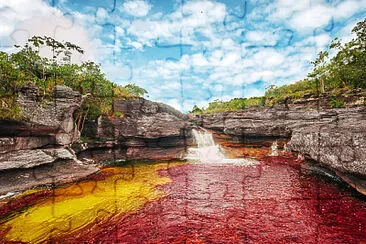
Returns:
<point x="274" y="202"/>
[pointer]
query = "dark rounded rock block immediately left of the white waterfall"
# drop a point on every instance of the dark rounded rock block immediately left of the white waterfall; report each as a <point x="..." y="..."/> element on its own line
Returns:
<point x="143" y="130"/>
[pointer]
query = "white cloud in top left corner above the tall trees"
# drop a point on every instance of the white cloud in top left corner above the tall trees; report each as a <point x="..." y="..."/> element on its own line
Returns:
<point x="24" y="18"/>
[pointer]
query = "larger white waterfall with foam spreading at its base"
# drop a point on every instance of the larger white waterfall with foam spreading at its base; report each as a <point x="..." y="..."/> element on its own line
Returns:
<point x="208" y="152"/>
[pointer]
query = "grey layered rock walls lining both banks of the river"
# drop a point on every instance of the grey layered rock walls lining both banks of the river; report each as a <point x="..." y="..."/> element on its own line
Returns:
<point x="45" y="147"/>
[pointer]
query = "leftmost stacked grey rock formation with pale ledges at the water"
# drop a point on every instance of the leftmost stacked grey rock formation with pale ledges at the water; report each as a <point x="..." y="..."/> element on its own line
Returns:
<point x="36" y="150"/>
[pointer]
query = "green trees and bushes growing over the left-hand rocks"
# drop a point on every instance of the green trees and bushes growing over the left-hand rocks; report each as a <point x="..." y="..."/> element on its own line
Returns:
<point x="28" y="66"/>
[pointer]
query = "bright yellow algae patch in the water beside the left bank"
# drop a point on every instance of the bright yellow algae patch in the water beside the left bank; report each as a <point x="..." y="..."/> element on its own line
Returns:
<point x="75" y="206"/>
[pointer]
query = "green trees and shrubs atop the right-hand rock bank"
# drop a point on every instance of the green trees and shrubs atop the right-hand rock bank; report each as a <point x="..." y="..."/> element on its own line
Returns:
<point x="341" y="68"/>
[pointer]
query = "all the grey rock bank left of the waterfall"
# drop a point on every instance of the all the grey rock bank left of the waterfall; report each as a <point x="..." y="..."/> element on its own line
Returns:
<point x="45" y="147"/>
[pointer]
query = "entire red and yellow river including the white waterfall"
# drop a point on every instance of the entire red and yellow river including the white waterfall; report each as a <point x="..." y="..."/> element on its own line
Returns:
<point x="212" y="198"/>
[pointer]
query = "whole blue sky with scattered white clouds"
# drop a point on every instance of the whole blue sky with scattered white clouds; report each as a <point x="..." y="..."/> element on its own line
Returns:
<point x="189" y="52"/>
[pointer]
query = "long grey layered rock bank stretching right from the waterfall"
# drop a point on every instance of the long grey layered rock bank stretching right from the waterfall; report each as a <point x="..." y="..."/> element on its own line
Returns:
<point x="335" y="138"/>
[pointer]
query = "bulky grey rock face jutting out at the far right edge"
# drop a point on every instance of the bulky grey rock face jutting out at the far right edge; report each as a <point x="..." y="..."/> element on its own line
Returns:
<point x="340" y="144"/>
